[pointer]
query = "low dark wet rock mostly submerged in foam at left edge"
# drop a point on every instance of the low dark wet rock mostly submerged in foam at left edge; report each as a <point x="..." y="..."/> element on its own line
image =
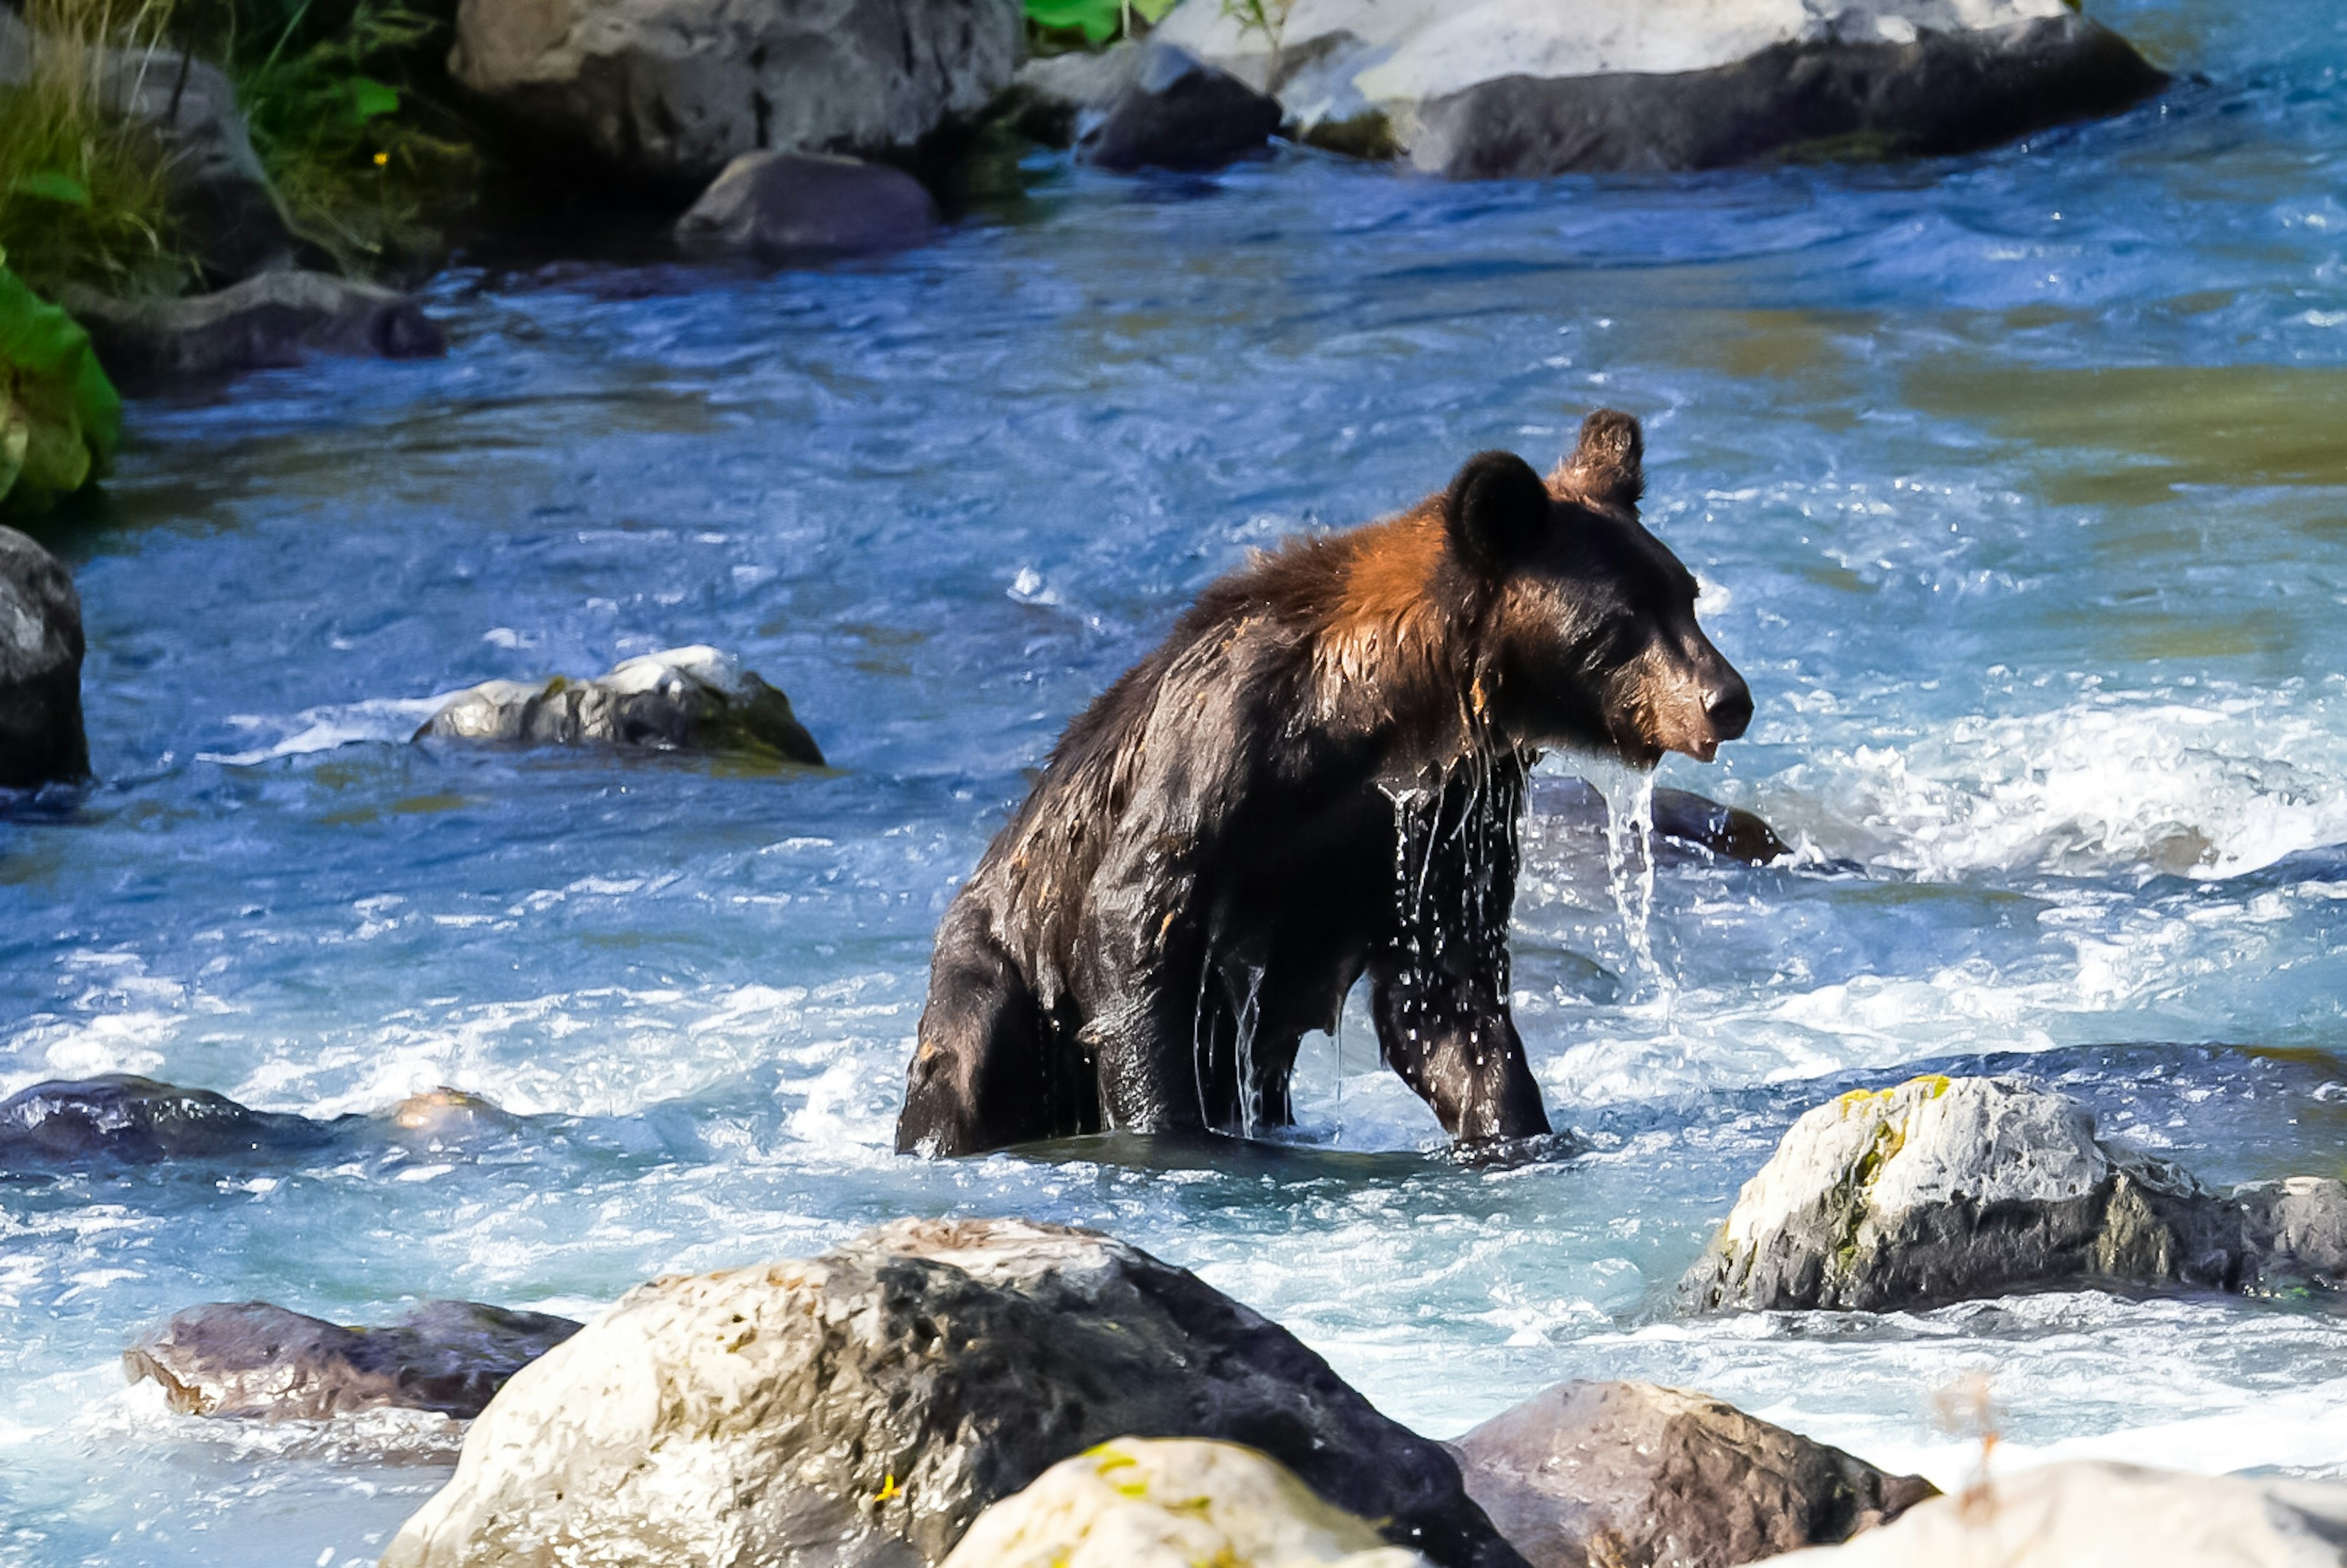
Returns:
<point x="140" y="1121"/>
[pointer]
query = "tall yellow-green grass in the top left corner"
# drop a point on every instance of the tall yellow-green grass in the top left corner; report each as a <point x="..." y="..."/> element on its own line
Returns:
<point x="83" y="191"/>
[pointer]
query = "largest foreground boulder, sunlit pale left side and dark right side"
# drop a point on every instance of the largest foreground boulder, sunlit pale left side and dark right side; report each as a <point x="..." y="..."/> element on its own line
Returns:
<point x="865" y="1407"/>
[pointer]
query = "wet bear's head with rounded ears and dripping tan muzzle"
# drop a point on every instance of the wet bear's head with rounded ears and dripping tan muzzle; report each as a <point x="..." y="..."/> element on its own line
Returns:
<point x="1588" y="635"/>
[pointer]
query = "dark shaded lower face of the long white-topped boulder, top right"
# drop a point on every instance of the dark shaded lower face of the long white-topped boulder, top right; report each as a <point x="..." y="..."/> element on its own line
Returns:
<point x="1940" y="93"/>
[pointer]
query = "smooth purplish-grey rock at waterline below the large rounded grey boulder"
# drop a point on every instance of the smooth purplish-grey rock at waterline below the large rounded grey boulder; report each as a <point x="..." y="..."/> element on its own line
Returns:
<point x="792" y="205"/>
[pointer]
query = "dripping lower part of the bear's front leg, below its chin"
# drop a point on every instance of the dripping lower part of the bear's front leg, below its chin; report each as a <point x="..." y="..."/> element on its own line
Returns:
<point x="1456" y="1046"/>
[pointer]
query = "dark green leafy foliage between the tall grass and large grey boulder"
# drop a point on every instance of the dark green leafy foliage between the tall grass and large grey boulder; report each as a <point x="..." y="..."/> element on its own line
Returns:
<point x="365" y="161"/>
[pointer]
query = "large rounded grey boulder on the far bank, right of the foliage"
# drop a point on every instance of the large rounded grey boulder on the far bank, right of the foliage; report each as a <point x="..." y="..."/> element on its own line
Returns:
<point x="675" y="90"/>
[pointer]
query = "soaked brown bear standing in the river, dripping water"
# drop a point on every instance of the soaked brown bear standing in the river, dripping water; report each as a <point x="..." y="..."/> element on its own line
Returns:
<point x="1320" y="773"/>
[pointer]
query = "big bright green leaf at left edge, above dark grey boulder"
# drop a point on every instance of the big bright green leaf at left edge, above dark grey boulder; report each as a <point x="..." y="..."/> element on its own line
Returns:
<point x="60" y="417"/>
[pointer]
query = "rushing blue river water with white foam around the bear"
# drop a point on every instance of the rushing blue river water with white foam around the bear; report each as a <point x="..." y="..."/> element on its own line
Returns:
<point x="2020" y="494"/>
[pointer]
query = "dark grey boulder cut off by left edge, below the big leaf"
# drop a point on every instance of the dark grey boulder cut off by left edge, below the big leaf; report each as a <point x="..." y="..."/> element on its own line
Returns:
<point x="41" y="673"/>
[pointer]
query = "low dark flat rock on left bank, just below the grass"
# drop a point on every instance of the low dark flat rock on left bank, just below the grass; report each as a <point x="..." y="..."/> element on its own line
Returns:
<point x="269" y="320"/>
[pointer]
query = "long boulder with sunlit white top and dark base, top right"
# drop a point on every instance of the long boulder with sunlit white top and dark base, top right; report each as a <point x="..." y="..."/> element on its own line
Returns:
<point x="1522" y="88"/>
